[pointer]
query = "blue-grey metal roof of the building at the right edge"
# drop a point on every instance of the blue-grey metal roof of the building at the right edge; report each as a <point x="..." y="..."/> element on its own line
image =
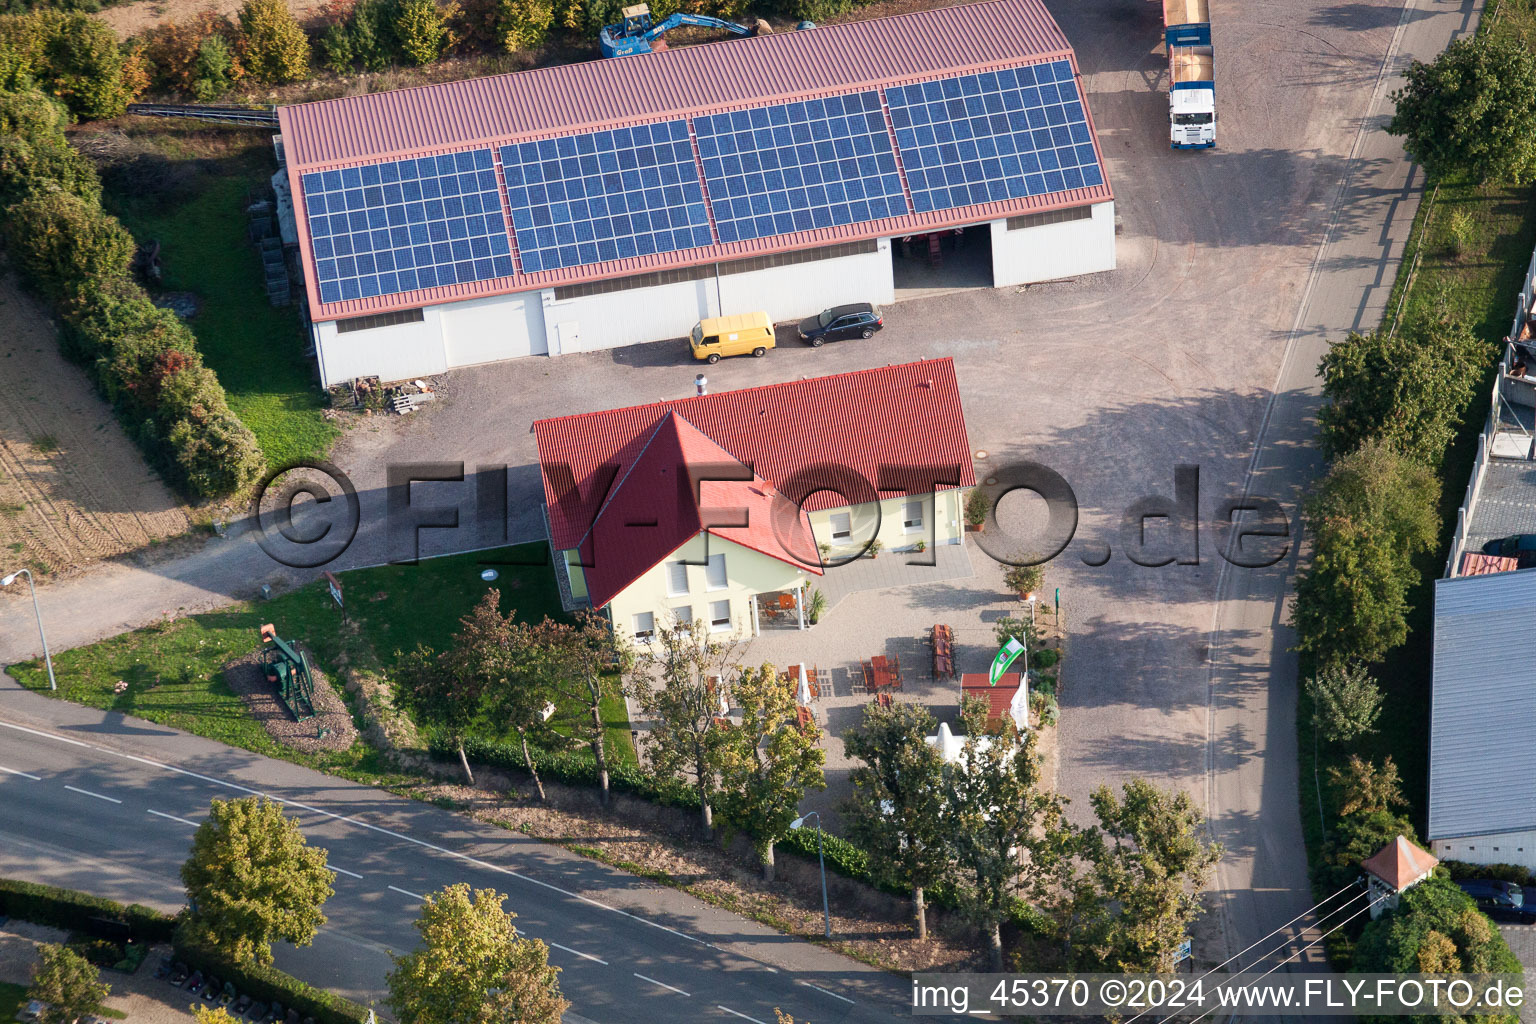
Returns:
<point x="1483" y="765"/>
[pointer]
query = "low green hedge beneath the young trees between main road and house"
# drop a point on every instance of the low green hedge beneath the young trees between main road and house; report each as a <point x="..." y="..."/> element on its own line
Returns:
<point x="578" y="768"/>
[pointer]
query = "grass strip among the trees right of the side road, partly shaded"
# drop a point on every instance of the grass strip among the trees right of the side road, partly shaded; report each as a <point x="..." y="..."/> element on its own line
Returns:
<point x="1472" y="248"/>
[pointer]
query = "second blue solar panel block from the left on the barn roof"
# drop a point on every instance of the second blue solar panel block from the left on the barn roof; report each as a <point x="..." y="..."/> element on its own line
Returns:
<point x="606" y="196"/>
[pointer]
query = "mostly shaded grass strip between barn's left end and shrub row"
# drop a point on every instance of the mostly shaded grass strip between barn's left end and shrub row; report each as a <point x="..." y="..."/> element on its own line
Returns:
<point x="256" y="349"/>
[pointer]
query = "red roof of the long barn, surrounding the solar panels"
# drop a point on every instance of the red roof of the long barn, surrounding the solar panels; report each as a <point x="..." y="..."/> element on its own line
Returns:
<point x="672" y="84"/>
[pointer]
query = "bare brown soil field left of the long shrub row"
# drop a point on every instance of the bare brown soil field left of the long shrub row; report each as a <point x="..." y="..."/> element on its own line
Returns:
<point x="73" y="489"/>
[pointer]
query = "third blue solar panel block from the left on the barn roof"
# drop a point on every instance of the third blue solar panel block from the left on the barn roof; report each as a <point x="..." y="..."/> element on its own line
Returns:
<point x="799" y="167"/>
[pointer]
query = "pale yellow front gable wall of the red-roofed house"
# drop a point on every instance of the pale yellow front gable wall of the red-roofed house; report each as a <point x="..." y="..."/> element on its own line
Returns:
<point x="747" y="572"/>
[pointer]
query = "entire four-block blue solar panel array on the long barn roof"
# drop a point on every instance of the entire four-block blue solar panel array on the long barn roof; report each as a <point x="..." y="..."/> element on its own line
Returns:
<point x="600" y="197"/>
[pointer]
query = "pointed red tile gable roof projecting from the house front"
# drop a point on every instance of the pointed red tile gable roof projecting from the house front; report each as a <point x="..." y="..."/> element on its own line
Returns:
<point x="657" y="509"/>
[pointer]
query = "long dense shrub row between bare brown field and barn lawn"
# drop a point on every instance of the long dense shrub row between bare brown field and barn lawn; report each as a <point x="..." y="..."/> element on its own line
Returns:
<point x="142" y="358"/>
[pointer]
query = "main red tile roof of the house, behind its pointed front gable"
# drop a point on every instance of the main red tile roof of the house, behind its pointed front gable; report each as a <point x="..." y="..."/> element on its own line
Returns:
<point x="907" y="415"/>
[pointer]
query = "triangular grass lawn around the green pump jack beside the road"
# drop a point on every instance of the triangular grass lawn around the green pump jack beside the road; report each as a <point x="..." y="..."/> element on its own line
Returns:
<point x="174" y="670"/>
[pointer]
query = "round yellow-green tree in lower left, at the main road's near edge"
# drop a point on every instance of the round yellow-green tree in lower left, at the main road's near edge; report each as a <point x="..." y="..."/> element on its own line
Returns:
<point x="253" y="880"/>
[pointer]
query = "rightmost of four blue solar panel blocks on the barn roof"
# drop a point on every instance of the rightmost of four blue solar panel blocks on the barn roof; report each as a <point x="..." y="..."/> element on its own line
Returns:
<point x="993" y="137"/>
